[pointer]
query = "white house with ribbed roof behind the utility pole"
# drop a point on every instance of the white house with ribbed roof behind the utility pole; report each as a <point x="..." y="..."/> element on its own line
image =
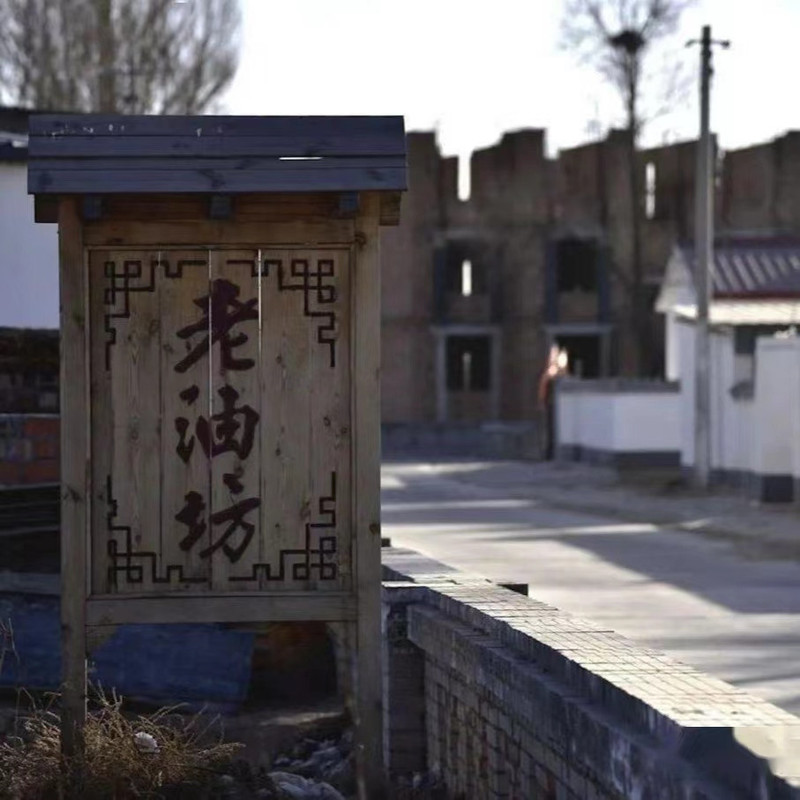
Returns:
<point x="755" y="360"/>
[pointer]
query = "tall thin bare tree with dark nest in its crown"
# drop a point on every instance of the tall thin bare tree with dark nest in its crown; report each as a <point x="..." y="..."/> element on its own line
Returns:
<point x="617" y="38"/>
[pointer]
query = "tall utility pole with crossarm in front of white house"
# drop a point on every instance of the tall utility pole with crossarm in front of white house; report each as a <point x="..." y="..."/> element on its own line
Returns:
<point x="704" y="259"/>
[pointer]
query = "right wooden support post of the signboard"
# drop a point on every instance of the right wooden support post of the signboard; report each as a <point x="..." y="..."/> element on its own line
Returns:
<point x="365" y="367"/>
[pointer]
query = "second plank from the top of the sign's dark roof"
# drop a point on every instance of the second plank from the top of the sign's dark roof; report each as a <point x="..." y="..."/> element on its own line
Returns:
<point x="176" y="146"/>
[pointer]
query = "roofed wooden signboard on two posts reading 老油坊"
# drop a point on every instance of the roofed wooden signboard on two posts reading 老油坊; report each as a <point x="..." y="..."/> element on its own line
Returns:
<point x="220" y="376"/>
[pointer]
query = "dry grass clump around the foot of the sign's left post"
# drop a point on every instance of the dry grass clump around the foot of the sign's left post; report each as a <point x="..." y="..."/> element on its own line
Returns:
<point x="117" y="767"/>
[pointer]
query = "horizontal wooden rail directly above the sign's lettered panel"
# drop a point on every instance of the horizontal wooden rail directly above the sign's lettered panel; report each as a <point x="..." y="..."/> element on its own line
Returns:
<point x="216" y="234"/>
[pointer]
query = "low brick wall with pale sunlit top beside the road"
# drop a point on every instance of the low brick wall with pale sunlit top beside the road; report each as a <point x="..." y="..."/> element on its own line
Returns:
<point x="506" y="697"/>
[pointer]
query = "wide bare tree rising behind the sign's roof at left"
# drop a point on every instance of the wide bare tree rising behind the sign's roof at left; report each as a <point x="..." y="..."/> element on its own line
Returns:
<point x="124" y="56"/>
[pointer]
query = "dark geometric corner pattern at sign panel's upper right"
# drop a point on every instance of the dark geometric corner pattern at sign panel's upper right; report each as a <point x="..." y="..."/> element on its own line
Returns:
<point x="316" y="285"/>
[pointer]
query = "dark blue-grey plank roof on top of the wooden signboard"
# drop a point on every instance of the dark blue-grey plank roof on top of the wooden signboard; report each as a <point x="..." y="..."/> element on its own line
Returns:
<point x="130" y="154"/>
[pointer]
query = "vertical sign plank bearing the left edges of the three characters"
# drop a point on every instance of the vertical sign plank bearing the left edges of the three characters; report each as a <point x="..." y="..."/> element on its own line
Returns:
<point x="185" y="474"/>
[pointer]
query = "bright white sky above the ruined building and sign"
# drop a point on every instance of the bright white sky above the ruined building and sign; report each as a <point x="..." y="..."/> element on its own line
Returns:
<point x="472" y="69"/>
